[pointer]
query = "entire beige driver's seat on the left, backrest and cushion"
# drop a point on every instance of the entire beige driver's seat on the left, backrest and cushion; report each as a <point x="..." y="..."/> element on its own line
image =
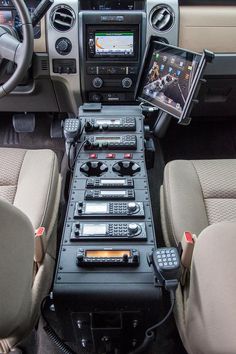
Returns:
<point x="29" y="199"/>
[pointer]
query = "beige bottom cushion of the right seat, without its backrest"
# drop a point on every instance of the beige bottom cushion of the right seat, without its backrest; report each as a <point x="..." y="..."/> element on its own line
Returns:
<point x="196" y="194"/>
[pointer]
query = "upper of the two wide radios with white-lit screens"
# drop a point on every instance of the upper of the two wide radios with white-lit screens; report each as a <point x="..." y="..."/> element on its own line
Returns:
<point x="109" y="209"/>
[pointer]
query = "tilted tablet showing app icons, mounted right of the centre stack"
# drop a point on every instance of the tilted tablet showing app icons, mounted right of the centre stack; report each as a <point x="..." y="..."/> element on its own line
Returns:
<point x="168" y="76"/>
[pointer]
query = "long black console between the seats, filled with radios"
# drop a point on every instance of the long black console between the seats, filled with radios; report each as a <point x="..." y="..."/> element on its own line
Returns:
<point x="104" y="290"/>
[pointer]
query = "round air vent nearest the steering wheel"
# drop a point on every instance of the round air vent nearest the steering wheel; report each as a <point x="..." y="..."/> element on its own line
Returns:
<point x="62" y="18"/>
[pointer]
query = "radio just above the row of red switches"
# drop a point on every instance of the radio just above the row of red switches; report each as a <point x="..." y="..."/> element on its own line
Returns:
<point x="122" y="142"/>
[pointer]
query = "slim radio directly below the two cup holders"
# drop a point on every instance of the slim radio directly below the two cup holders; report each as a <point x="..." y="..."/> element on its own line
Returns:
<point x="109" y="182"/>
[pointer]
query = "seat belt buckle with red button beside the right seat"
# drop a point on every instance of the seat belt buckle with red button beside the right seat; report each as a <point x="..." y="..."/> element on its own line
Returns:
<point x="187" y="244"/>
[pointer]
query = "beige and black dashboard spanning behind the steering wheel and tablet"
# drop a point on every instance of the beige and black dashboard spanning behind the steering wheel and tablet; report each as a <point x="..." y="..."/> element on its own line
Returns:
<point x="92" y="50"/>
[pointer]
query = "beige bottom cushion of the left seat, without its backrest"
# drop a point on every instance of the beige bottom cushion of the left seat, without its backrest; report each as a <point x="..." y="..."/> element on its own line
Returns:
<point x="29" y="180"/>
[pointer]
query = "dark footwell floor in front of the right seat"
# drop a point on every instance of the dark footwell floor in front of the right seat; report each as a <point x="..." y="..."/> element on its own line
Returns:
<point x="200" y="140"/>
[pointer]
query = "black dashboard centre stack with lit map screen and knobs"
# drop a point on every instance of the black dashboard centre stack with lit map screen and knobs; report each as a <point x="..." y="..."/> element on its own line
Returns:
<point x="112" y="44"/>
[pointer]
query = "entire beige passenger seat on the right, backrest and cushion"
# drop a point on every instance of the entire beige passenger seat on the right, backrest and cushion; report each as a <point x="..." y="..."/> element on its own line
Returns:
<point x="200" y="197"/>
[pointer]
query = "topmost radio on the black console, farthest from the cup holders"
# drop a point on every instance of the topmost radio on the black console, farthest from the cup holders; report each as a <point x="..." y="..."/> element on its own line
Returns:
<point x="113" y="124"/>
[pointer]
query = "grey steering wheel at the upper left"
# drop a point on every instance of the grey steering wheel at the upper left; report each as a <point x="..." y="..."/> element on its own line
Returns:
<point x="15" y="51"/>
